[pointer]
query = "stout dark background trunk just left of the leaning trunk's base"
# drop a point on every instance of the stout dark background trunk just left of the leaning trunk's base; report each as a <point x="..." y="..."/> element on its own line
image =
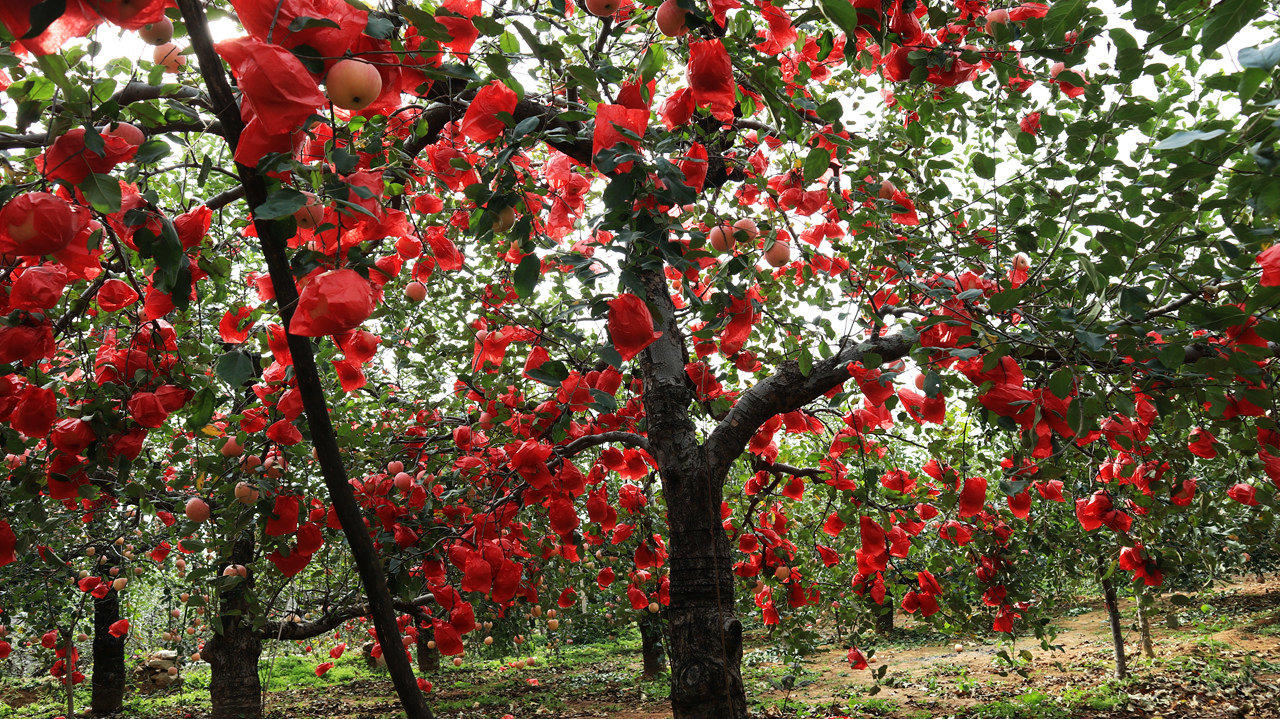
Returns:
<point x="235" y="688"/>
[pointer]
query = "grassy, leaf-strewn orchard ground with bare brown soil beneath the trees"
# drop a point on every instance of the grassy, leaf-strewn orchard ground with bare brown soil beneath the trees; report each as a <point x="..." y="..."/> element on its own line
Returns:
<point x="1218" y="656"/>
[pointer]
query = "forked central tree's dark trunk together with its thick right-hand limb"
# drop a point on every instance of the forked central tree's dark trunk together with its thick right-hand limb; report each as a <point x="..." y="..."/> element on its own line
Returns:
<point x="706" y="635"/>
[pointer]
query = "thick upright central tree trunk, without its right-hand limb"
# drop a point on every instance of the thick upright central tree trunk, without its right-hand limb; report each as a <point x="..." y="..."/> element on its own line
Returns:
<point x="706" y="635"/>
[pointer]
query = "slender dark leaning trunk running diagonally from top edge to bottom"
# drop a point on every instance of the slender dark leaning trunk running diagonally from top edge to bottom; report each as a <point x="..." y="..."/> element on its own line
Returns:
<point x="308" y="377"/>
